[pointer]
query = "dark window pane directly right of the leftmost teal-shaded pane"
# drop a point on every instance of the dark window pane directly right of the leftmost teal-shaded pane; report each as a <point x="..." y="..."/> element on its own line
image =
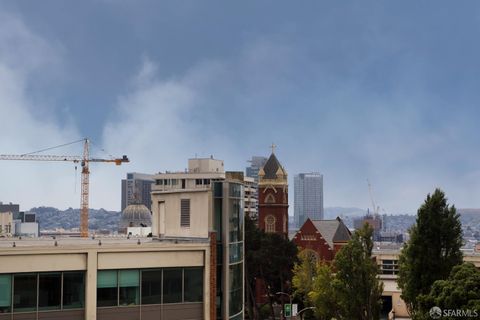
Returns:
<point x="25" y="292"/>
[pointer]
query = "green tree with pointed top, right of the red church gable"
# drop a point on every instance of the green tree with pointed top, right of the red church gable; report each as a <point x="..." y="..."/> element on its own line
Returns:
<point x="350" y="289"/>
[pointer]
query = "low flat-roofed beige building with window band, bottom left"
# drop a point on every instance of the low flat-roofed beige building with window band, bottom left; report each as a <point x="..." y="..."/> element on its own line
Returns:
<point x="104" y="278"/>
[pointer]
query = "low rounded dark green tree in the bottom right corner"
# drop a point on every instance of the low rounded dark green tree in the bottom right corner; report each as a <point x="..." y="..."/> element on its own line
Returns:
<point x="461" y="291"/>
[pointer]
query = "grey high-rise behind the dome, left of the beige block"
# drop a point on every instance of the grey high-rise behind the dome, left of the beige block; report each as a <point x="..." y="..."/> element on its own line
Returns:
<point x="136" y="189"/>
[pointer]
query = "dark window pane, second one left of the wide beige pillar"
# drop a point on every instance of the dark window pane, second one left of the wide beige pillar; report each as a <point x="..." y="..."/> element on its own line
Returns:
<point x="49" y="290"/>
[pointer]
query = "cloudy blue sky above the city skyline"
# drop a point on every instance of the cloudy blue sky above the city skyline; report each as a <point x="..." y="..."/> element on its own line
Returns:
<point x="385" y="91"/>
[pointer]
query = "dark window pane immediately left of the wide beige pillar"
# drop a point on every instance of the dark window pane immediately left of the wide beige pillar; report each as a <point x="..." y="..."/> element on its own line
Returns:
<point x="73" y="290"/>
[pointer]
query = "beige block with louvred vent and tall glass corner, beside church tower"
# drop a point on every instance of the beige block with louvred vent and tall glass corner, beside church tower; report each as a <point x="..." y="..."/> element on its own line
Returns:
<point x="201" y="201"/>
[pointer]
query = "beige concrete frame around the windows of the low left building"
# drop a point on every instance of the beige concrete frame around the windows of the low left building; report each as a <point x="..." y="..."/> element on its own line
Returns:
<point x="43" y="256"/>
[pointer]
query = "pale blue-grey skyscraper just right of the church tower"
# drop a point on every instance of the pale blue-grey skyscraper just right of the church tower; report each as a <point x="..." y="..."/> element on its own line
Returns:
<point x="308" y="195"/>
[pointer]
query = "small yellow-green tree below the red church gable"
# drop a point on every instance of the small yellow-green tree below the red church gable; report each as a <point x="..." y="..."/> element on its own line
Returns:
<point x="304" y="273"/>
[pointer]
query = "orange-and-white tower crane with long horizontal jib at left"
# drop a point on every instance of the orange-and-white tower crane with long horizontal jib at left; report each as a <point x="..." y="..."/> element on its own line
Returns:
<point x="84" y="162"/>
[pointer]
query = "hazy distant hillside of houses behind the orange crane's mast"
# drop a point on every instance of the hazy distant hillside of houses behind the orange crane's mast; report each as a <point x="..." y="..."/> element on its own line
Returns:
<point x="52" y="218"/>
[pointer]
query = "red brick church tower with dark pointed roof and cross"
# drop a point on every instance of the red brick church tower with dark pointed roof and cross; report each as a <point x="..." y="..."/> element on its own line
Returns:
<point x="273" y="197"/>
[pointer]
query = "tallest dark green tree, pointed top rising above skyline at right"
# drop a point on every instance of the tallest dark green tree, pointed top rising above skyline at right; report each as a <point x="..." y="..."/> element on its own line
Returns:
<point x="432" y="251"/>
